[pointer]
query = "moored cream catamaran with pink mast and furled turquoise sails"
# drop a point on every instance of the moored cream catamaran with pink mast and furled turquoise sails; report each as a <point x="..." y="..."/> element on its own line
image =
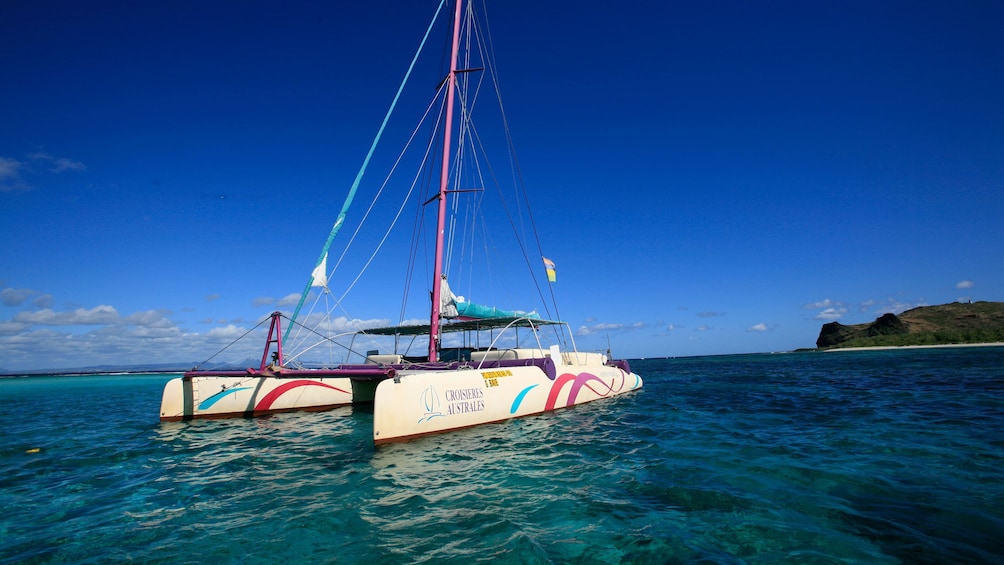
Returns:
<point x="478" y="365"/>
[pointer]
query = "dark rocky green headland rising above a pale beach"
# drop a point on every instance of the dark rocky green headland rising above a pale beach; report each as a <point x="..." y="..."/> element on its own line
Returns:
<point x="946" y="325"/>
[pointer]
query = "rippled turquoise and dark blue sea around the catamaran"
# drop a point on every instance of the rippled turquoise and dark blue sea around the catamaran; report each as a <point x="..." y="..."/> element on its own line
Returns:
<point x="864" y="457"/>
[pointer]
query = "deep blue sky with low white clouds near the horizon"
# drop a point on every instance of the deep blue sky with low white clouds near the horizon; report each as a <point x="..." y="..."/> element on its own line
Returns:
<point x="711" y="177"/>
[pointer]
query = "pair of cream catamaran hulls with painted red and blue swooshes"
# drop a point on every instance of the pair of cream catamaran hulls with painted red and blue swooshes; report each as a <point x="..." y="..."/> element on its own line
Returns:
<point x="407" y="404"/>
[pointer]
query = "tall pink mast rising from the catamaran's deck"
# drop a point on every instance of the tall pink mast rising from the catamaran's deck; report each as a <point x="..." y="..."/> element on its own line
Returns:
<point x="451" y="84"/>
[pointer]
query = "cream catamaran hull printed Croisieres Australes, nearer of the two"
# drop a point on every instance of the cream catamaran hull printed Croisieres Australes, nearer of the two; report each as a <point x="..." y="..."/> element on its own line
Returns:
<point x="421" y="404"/>
